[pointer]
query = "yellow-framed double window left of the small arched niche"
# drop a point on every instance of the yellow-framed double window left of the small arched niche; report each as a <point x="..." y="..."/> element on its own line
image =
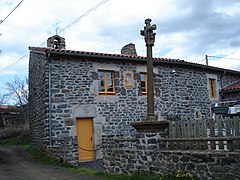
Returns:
<point x="106" y="82"/>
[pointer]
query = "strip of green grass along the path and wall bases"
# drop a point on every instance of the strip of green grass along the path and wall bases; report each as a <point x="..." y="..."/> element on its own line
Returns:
<point x="22" y="142"/>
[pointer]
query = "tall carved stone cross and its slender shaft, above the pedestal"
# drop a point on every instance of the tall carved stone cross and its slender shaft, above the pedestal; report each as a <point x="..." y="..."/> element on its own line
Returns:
<point x="149" y="37"/>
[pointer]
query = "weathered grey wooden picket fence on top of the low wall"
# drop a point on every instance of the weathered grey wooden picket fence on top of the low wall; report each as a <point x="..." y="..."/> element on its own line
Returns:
<point x="221" y="133"/>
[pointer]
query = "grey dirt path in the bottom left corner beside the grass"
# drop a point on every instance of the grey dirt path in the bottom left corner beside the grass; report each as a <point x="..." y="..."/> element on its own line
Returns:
<point x="16" y="164"/>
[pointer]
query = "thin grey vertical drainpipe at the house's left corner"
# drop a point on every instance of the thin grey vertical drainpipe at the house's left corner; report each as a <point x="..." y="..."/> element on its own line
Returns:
<point x="49" y="100"/>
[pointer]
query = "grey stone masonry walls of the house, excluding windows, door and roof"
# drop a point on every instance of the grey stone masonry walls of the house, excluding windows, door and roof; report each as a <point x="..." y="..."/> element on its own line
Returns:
<point x="74" y="94"/>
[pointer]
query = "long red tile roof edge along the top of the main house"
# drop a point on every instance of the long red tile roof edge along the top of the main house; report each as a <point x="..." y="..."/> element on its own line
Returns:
<point x="121" y="56"/>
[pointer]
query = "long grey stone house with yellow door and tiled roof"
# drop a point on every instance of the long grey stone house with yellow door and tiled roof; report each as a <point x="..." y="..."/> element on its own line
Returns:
<point x="75" y="97"/>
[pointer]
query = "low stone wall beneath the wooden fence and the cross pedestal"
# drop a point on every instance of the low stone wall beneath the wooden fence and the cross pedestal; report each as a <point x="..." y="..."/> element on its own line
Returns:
<point x="145" y="155"/>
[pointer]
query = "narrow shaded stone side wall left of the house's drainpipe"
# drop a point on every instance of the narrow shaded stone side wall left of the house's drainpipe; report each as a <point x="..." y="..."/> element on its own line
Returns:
<point x="38" y="100"/>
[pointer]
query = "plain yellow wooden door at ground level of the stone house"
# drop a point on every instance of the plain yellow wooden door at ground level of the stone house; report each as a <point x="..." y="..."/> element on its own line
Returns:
<point x="85" y="139"/>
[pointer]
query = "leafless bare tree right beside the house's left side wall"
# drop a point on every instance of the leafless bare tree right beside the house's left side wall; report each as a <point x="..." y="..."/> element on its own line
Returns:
<point x="17" y="90"/>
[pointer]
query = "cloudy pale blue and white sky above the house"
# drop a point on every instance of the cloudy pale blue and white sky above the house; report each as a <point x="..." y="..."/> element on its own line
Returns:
<point x="186" y="29"/>
